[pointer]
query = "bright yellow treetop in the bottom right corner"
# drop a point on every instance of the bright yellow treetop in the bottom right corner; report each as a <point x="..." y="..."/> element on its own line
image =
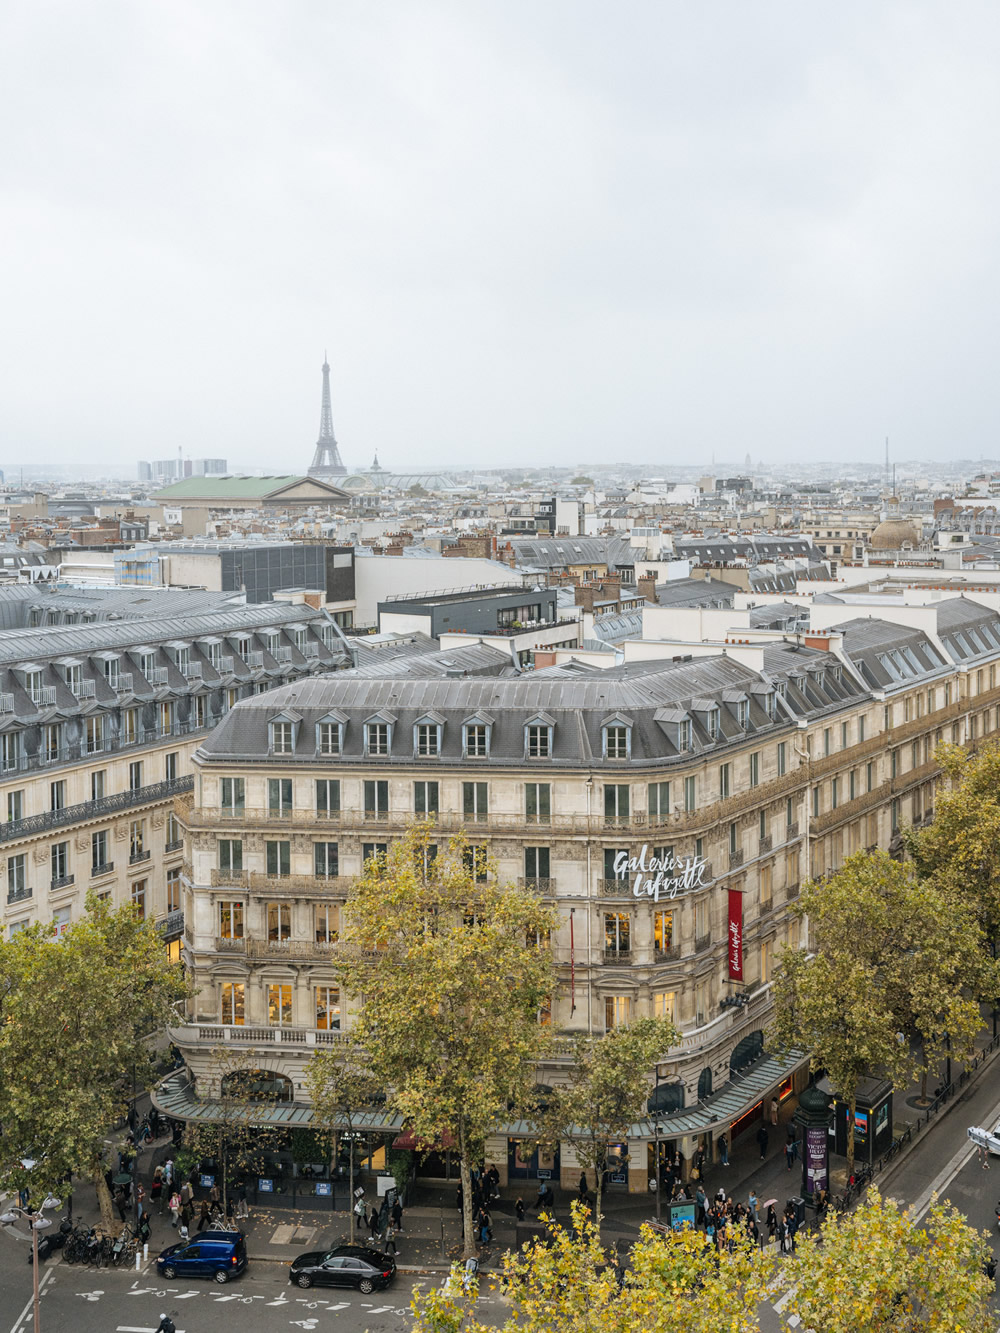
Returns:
<point x="881" y="1271"/>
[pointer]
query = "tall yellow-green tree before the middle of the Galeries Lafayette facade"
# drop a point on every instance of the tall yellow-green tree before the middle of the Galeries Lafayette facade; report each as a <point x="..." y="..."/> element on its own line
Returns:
<point x="457" y="976"/>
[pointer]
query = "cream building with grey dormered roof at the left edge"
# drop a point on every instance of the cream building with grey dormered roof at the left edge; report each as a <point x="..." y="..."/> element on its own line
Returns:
<point x="99" y="719"/>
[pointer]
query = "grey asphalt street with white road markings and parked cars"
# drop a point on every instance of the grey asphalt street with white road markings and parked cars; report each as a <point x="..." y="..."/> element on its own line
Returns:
<point x="263" y="1300"/>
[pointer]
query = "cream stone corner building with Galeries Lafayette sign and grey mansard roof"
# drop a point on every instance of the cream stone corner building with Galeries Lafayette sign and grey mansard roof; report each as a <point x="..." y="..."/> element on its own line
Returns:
<point x="669" y="810"/>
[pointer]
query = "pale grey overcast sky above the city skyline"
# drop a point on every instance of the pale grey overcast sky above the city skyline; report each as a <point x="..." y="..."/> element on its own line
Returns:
<point x="527" y="233"/>
